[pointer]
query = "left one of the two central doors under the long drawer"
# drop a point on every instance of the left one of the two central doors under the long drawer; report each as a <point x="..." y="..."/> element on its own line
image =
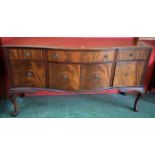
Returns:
<point x="64" y="76"/>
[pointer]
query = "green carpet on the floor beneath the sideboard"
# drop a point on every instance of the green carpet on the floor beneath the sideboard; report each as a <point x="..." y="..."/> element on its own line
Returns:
<point x="81" y="106"/>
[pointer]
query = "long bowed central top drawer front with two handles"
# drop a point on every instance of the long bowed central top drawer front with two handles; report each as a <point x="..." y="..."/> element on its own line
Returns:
<point x="80" y="56"/>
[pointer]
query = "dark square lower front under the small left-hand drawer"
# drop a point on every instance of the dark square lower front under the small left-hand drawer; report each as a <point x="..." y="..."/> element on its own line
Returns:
<point x="27" y="74"/>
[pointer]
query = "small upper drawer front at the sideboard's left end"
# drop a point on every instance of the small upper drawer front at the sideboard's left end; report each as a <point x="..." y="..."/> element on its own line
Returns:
<point x="26" y="54"/>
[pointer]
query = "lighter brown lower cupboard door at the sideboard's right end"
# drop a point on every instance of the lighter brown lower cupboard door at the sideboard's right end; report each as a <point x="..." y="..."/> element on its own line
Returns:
<point x="129" y="73"/>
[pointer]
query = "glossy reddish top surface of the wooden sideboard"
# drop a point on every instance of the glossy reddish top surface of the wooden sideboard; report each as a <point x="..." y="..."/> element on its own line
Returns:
<point x="70" y="42"/>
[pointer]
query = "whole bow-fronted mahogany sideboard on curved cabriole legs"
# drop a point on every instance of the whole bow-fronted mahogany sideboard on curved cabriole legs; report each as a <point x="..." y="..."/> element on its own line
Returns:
<point x="76" y="65"/>
